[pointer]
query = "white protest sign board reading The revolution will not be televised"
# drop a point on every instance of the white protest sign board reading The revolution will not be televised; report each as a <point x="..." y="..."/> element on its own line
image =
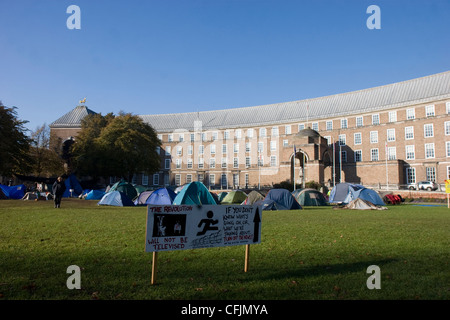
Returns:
<point x="180" y="227"/>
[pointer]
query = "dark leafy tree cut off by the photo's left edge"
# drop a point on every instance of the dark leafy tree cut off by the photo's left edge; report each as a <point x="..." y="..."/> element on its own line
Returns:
<point x="14" y="143"/>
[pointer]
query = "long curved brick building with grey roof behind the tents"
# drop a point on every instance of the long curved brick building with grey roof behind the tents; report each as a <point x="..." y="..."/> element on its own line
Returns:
<point x="395" y="134"/>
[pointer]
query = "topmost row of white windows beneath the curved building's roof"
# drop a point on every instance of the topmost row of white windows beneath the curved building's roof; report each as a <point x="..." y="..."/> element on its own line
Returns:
<point x="329" y="125"/>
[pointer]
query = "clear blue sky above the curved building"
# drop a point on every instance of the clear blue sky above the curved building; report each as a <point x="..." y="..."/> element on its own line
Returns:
<point x="151" y="57"/>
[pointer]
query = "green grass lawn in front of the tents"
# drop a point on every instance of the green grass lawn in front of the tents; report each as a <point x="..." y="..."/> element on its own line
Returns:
<point x="315" y="253"/>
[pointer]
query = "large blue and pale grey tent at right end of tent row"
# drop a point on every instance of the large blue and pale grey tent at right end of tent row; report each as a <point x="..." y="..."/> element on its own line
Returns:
<point x="345" y="193"/>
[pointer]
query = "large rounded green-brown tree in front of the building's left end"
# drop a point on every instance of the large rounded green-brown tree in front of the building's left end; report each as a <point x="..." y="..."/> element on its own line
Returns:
<point x="115" y="146"/>
